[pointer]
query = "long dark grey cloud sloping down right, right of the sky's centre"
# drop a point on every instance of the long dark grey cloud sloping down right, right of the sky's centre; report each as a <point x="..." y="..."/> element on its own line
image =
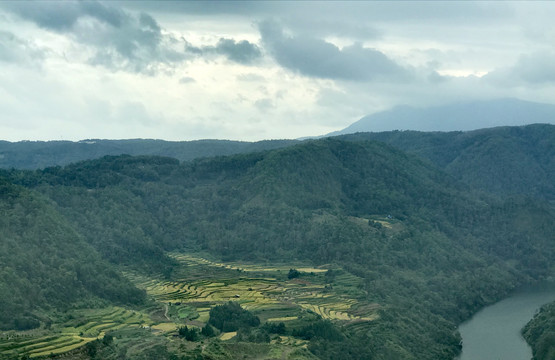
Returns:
<point x="317" y="58"/>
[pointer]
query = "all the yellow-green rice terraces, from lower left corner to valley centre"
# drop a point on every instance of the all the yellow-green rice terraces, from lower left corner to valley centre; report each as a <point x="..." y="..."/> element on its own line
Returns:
<point x="290" y="294"/>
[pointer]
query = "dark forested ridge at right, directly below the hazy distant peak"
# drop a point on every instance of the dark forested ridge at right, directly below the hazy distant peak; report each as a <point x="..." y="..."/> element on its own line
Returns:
<point x="504" y="160"/>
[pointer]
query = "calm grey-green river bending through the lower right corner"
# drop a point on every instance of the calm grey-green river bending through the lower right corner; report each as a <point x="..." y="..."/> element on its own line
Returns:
<point x="494" y="332"/>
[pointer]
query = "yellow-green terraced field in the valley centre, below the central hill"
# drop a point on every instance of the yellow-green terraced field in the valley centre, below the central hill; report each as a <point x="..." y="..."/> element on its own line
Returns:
<point x="258" y="288"/>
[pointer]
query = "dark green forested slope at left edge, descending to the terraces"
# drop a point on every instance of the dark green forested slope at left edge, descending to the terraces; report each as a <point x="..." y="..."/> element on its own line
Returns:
<point x="46" y="265"/>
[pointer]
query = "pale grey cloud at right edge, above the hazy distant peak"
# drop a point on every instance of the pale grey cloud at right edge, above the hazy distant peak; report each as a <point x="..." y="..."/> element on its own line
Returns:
<point x="530" y="69"/>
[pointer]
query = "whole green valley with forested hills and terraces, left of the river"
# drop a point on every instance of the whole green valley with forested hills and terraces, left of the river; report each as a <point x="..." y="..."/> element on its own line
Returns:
<point x="361" y="250"/>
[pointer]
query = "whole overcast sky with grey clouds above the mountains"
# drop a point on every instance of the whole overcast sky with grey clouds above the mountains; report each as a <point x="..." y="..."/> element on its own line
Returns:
<point x="183" y="70"/>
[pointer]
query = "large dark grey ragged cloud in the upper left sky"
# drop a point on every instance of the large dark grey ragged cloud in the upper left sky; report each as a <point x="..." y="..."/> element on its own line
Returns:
<point x="120" y="40"/>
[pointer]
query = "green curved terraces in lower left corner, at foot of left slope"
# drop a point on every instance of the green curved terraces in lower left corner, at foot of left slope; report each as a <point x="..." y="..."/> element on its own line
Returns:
<point x="83" y="327"/>
